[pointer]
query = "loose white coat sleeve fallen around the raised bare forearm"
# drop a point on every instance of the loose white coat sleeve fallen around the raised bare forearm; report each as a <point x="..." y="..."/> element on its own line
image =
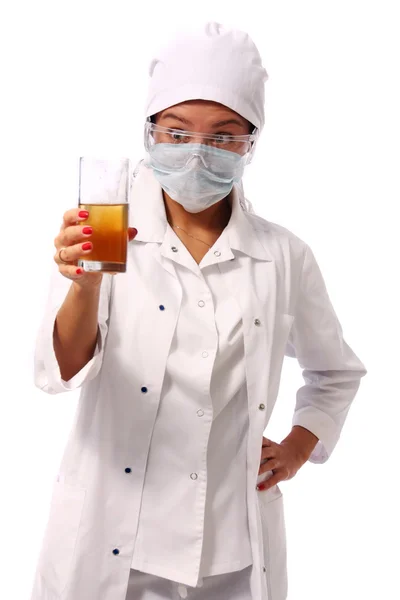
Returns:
<point x="47" y="375"/>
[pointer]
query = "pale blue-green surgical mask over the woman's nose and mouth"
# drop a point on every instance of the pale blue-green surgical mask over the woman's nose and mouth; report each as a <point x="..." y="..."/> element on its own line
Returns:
<point x="195" y="175"/>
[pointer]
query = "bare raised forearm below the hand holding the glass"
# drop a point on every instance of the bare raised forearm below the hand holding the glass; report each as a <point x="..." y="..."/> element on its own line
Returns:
<point x="75" y="329"/>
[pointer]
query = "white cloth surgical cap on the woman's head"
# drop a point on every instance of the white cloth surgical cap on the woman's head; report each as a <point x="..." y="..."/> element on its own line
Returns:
<point x="211" y="63"/>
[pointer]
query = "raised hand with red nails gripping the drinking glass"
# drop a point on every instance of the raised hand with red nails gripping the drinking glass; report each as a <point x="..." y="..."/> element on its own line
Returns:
<point x="73" y="238"/>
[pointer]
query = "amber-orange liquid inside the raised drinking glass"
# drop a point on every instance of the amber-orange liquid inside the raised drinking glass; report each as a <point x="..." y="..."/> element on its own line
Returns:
<point x="110" y="232"/>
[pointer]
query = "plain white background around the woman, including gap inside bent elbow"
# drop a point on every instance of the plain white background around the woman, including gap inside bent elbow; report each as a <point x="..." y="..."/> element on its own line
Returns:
<point x="73" y="80"/>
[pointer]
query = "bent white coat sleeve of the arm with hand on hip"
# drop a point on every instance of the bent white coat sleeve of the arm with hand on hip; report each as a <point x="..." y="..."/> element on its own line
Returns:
<point x="331" y="370"/>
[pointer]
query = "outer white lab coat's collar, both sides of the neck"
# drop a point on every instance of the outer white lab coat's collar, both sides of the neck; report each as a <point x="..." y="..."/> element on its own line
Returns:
<point x="147" y="214"/>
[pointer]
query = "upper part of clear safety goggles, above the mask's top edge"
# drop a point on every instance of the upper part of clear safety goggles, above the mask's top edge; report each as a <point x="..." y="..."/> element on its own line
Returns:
<point x="240" y="144"/>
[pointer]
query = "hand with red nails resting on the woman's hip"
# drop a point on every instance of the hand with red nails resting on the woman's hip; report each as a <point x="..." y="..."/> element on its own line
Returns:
<point x="284" y="460"/>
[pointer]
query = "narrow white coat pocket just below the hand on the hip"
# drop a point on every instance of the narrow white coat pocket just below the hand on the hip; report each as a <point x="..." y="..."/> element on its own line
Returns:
<point x="274" y="542"/>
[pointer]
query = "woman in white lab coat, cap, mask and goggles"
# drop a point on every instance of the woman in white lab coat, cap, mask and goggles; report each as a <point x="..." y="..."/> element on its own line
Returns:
<point x="179" y="360"/>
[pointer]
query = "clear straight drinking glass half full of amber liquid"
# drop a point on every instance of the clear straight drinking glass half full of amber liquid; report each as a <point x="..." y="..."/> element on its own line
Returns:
<point x="104" y="193"/>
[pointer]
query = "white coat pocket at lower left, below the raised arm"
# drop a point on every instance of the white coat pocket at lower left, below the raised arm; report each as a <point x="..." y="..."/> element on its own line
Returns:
<point x="60" y="535"/>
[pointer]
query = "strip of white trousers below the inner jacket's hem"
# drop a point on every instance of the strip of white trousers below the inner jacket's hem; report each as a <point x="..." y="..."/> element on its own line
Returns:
<point x="229" y="586"/>
